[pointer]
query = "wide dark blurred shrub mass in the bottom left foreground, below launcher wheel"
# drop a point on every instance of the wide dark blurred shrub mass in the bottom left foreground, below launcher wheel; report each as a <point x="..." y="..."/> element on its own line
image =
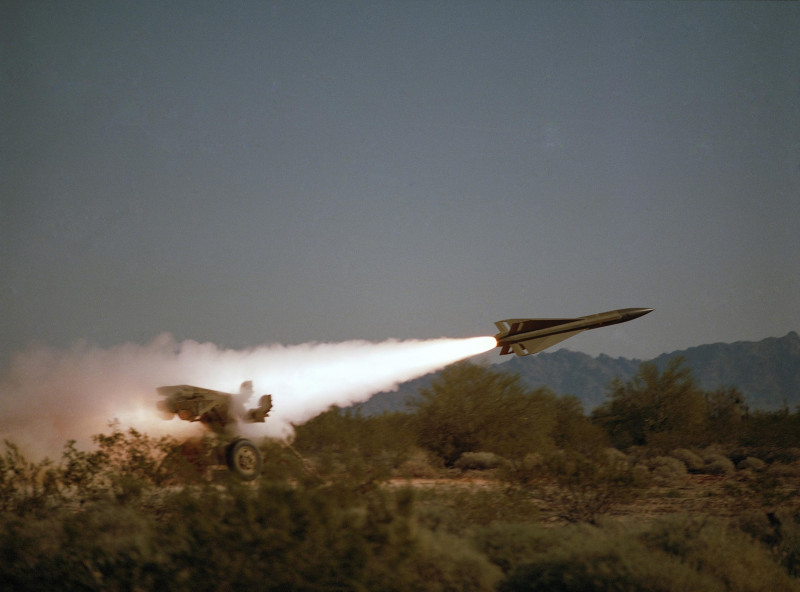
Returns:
<point x="228" y="537"/>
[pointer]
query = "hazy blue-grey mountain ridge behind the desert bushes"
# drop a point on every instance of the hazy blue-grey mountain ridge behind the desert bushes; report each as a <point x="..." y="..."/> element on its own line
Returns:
<point x="767" y="372"/>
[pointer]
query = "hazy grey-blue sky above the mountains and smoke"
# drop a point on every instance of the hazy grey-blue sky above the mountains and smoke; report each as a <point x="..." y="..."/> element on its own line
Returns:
<point x="247" y="173"/>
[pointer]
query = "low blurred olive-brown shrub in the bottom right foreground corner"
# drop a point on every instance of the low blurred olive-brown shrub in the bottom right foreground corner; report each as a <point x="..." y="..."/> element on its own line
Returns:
<point x="673" y="554"/>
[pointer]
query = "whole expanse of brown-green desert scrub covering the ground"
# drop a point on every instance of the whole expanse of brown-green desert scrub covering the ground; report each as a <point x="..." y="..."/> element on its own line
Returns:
<point x="456" y="494"/>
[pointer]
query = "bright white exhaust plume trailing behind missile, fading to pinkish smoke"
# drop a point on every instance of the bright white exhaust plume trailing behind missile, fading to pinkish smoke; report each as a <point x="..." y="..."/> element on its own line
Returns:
<point x="48" y="396"/>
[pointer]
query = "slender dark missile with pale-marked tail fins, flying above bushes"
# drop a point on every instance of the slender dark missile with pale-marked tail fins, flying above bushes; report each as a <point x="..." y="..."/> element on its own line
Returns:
<point x="530" y="336"/>
